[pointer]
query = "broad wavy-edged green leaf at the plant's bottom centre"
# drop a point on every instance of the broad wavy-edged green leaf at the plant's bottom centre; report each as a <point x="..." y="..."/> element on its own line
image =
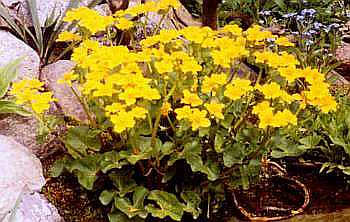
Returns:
<point x="168" y="205"/>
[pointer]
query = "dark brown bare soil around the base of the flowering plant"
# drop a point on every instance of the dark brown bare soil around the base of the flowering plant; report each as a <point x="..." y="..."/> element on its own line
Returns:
<point x="329" y="194"/>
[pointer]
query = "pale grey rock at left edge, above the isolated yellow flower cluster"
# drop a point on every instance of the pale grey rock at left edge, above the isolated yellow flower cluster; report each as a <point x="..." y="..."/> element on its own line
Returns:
<point x="12" y="48"/>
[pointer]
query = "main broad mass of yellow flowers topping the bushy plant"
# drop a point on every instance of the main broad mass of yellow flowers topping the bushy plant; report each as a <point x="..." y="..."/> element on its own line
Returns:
<point x="190" y="73"/>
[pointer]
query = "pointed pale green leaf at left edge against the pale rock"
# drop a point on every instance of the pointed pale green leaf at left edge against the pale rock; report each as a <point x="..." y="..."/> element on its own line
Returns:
<point x="8" y="73"/>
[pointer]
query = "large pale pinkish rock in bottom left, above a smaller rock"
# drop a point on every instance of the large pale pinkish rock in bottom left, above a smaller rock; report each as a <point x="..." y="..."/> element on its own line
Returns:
<point x="20" y="172"/>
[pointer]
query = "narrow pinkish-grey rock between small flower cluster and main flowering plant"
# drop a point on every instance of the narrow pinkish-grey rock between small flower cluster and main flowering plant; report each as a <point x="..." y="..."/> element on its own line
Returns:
<point x="66" y="100"/>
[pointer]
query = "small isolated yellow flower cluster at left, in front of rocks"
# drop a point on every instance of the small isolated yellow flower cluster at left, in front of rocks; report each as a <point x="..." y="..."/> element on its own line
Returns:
<point x="28" y="92"/>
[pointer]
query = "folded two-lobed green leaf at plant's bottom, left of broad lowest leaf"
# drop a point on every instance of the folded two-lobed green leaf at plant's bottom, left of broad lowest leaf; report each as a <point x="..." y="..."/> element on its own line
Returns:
<point x="137" y="207"/>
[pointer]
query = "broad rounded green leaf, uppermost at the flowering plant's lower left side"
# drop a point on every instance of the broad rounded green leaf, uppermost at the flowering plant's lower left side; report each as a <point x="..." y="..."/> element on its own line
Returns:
<point x="81" y="139"/>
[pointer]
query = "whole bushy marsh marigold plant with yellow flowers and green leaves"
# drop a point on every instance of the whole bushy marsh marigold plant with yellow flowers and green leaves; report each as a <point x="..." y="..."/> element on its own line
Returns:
<point x="179" y="97"/>
